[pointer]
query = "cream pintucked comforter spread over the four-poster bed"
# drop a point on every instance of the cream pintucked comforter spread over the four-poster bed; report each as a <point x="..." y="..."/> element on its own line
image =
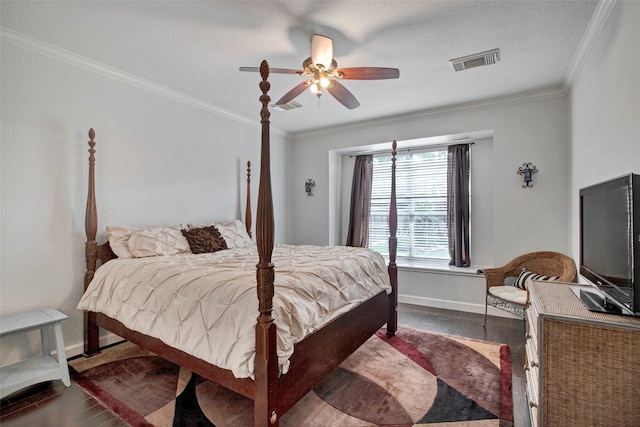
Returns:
<point x="206" y="305"/>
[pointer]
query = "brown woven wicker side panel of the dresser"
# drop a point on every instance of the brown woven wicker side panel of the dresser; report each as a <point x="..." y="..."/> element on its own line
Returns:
<point x="592" y="377"/>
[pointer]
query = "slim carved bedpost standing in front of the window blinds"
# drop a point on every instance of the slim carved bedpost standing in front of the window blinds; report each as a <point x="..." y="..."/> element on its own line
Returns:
<point x="392" y="323"/>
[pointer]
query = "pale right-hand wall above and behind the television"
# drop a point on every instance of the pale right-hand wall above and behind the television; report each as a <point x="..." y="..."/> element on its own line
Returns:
<point x="605" y="109"/>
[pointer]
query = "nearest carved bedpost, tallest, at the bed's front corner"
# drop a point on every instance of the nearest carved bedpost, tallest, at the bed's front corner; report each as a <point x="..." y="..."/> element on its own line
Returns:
<point x="266" y="361"/>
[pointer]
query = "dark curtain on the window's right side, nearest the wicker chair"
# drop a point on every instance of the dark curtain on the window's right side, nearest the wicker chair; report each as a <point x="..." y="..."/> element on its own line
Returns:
<point x="458" y="204"/>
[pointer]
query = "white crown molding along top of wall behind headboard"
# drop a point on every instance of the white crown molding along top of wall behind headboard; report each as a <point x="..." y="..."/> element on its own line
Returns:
<point x="45" y="49"/>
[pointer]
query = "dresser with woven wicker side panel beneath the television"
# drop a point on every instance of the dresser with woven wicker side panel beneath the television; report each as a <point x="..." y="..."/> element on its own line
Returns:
<point x="582" y="368"/>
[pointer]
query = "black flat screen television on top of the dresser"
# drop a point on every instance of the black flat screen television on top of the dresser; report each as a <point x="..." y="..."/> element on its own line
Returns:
<point x="610" y="244"/>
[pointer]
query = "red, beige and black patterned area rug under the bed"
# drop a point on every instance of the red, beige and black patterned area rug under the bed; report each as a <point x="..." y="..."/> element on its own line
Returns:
<point x="416" y="378"/>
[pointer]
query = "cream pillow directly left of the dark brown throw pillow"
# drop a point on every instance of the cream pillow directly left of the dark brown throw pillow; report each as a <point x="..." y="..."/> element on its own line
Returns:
<point x="157" y="241"/>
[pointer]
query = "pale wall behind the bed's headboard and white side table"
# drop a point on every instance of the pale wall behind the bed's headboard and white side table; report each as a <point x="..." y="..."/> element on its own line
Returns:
<point x="160" y="161"/>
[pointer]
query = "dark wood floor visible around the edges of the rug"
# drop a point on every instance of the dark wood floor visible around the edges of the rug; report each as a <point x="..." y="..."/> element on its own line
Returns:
<point x="52" y="404"/>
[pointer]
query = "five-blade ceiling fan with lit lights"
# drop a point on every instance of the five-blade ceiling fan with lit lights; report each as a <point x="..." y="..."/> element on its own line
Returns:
<point x="323" y="74"/>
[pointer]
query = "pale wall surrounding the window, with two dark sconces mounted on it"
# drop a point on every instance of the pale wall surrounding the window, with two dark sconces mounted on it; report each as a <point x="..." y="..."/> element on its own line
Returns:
<point x="521" y="219"/>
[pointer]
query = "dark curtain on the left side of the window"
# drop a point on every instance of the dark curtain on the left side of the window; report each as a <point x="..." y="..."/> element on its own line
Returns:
<point x="360" y="202"/>
